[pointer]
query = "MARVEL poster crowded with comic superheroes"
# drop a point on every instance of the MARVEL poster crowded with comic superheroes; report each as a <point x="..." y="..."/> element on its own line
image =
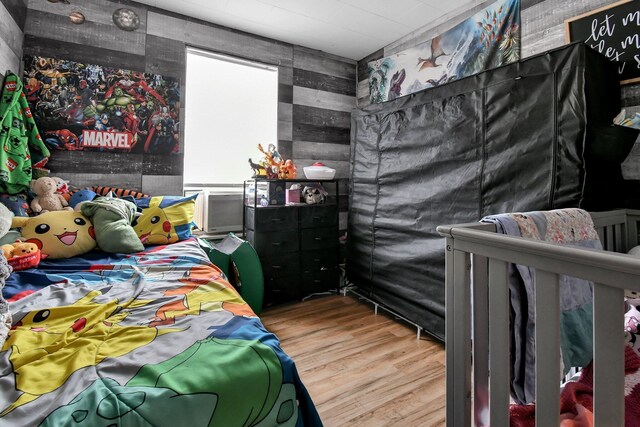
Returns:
<point x="89" y="107"/>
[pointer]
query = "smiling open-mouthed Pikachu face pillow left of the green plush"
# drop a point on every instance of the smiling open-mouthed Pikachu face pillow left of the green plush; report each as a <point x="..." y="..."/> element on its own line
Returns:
<point x="58" y="234"/>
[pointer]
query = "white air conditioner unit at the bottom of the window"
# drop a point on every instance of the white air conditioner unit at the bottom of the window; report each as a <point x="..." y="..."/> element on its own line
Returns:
<point x="217" y="211"/>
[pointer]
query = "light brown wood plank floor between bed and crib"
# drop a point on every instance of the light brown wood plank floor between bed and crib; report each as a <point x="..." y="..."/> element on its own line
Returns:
<point x="362" y="369"/>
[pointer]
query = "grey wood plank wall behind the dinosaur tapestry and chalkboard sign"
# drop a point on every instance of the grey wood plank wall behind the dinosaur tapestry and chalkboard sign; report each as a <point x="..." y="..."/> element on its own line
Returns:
<point x="542" y="29"/>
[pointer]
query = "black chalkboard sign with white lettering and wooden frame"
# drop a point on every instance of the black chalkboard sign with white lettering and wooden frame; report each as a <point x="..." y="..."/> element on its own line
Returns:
<point x="614" y="31"/>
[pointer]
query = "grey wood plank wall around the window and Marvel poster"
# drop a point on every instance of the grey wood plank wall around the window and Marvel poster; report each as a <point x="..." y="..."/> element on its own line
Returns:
<point x="316" y="90"/>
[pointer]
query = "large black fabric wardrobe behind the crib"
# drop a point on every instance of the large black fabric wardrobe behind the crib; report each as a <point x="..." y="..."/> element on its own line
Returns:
<point x="515" y="138"/>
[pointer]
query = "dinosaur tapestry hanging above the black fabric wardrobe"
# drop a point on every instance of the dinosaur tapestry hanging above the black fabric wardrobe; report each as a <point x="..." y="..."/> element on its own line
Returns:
<point x="488" y="39"/>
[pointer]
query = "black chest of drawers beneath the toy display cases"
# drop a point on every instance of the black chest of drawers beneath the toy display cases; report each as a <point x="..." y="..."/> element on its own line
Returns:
<point x="298" y="247"/>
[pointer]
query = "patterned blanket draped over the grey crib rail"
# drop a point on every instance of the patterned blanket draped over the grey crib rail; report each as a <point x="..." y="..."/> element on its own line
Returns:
<point x="566" y="227"/>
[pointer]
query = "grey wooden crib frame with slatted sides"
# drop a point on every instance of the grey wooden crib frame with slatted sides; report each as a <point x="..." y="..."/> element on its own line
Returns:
<point x="475" y="250"/>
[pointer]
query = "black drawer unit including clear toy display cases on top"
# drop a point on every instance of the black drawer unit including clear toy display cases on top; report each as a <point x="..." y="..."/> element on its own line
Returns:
<point x="297" y="240"/>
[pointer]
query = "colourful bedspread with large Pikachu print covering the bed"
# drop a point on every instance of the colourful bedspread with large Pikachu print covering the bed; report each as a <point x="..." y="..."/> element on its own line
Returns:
<point x="154" y="338"/>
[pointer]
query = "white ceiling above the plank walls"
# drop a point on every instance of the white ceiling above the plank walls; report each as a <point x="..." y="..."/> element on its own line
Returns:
<point x="348" y="28"/>
